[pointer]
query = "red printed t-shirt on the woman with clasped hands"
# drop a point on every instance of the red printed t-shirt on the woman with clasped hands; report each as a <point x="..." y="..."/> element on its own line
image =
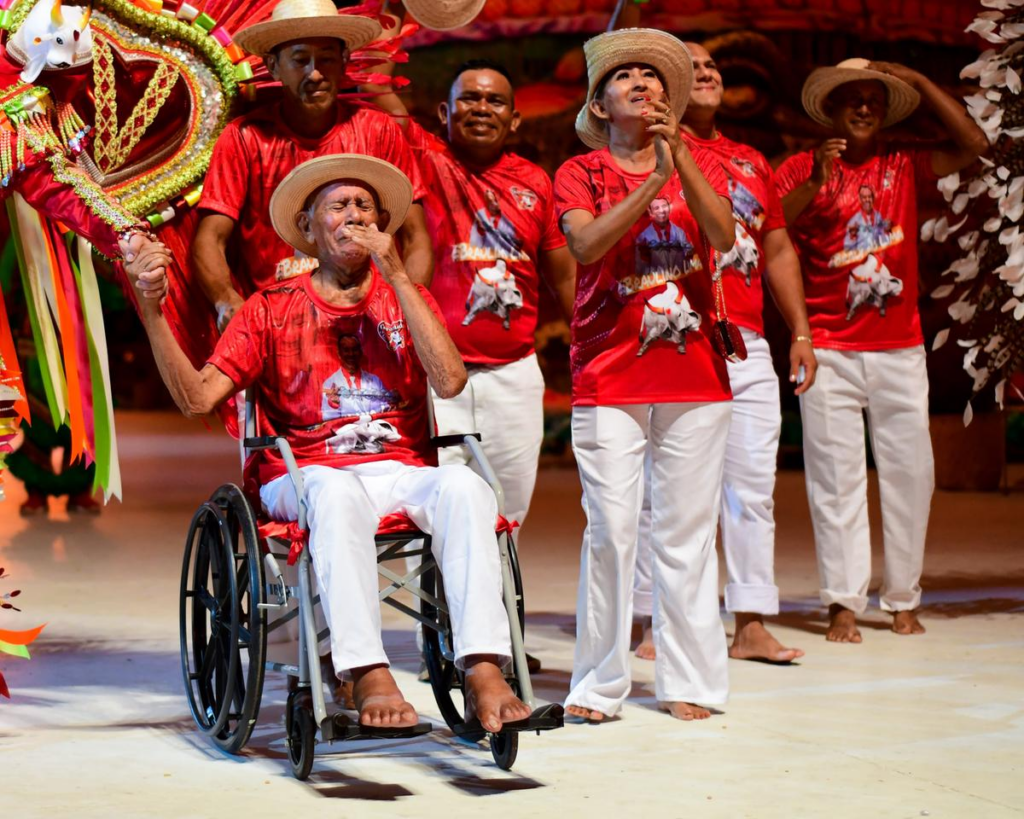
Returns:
<point x="649" y="299"/>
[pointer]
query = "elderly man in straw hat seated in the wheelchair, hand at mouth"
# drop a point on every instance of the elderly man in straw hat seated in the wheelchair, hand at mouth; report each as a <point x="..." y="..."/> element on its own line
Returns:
<point x="363" y="450"/>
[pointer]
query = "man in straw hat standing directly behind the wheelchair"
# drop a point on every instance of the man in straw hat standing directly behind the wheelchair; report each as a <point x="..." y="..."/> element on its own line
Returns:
<point x="306" y="47"/>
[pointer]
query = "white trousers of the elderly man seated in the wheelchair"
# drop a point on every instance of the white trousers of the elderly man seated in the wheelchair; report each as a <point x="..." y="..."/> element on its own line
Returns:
<point x="452" y="504"/>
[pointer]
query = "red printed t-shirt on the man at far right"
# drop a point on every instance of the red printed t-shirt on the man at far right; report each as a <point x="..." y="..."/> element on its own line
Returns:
<point x="859" y="249"/>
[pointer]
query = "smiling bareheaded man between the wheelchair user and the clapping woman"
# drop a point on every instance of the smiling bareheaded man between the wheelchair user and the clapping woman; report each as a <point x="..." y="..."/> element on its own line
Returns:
<point x="491" y="215"/>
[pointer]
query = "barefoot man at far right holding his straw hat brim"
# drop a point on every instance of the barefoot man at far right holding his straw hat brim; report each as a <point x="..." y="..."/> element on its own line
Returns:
<point x="852" y="209"/>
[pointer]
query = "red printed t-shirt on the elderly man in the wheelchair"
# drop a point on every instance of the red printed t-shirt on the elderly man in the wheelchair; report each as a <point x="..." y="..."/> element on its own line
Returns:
<point x="344" y="385"/>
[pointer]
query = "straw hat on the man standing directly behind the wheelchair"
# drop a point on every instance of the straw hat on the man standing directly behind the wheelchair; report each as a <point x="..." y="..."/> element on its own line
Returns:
<point x="301" y="20"/>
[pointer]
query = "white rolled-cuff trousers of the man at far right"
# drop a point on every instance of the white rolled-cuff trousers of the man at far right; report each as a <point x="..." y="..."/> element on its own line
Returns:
<point x="892" y="387"/>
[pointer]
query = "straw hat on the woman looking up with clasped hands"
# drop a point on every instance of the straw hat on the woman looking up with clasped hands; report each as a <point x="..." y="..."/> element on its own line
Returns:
<point x="661" y="51"/>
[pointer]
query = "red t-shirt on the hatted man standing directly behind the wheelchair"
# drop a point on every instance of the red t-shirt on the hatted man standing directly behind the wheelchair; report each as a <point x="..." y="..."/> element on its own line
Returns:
<point x="257" y="152"/>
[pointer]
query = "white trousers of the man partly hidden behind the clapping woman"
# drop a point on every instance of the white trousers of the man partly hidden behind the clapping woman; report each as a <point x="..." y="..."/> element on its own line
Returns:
<point x="748" y="514"/>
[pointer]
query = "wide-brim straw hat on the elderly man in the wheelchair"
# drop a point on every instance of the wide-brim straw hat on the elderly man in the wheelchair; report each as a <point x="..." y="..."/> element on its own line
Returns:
<point x="395" y="192"/>
